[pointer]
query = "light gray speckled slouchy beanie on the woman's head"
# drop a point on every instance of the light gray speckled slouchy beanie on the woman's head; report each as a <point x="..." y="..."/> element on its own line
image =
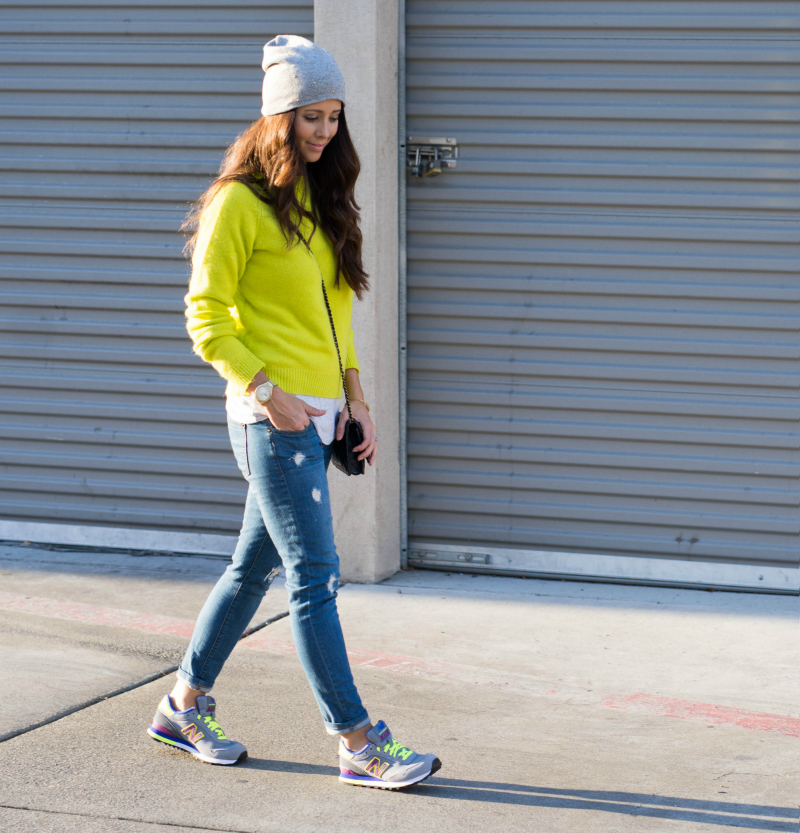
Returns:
<point x="298" y="72"/>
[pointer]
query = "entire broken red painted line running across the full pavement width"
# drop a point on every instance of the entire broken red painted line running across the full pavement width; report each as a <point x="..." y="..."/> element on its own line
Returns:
<point x="416" y="666"/>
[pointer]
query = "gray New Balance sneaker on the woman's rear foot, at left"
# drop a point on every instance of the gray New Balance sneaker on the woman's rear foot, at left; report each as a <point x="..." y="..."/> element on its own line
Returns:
<point x="195" y="731"/>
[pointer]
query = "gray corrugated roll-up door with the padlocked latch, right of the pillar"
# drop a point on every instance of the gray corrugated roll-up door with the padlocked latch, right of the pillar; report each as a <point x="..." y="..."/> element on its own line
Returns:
<point x="603" y="298"/>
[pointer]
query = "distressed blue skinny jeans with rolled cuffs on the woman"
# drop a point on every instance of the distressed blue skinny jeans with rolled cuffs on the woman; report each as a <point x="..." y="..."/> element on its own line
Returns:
<point x="287" y="521"/>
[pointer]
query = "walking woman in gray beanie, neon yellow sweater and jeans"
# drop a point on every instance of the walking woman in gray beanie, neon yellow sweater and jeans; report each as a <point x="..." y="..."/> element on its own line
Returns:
<point x="281" y="216"/>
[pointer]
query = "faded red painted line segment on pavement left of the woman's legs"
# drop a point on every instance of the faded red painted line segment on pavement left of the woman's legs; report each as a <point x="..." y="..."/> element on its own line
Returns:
<point x="96" y="615"/>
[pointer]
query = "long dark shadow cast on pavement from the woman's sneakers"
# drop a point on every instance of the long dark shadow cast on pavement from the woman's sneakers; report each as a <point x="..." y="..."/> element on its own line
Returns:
<point x="730" y="814"/>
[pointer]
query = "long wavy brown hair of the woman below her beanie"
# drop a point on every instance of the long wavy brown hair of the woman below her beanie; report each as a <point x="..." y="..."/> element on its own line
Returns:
<point x="265" y="158"/>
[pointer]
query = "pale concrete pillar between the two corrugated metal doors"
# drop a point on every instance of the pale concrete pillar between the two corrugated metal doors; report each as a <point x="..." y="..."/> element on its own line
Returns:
<point x="363" y="37"/>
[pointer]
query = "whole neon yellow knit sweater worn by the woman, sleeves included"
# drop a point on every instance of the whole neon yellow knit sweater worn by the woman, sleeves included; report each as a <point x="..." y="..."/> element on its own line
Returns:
<point x="253" y="305"/>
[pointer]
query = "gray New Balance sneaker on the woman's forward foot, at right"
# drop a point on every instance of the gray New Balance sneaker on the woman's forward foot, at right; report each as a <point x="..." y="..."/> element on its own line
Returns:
<point x="384" y="762"/>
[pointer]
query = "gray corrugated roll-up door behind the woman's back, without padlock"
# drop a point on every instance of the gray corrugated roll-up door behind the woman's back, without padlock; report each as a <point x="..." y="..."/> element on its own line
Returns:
<point x="114" y="116"/>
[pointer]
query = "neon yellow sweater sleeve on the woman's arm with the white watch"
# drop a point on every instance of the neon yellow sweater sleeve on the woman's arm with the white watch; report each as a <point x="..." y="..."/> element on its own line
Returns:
<point x="225" y="243"/>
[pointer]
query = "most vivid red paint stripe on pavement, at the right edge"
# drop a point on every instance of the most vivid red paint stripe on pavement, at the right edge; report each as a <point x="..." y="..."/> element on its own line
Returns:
<point x="691" y="710"/>
